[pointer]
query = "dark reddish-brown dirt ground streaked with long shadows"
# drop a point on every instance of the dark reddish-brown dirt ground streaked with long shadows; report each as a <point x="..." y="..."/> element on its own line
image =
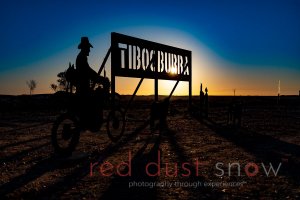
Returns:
<point x="196" y="158"/>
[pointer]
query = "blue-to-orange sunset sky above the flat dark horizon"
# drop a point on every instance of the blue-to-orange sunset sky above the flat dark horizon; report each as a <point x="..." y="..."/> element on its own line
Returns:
<point x="244" y="45"/>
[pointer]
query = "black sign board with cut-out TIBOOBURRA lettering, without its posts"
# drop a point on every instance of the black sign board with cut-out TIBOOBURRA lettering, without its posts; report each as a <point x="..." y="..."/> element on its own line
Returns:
<point x="134" y="57"/>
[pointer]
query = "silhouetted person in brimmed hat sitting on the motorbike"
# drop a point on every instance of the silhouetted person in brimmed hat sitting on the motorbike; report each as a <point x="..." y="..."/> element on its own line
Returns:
<point x="90" y="101"/>
